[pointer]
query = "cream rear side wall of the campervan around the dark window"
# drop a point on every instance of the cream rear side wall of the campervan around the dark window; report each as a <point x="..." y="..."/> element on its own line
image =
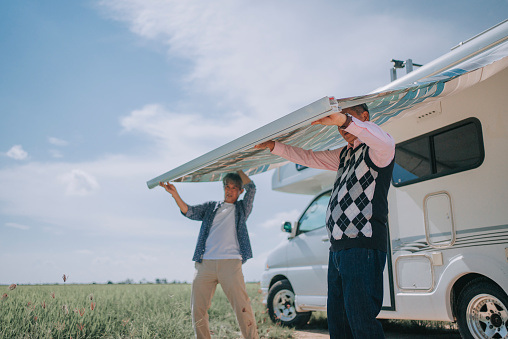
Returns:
<point x="477" y="207"/>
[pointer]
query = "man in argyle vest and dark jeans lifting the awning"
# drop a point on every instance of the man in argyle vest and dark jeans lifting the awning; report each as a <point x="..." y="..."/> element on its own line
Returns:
<point x="356" y="219"/>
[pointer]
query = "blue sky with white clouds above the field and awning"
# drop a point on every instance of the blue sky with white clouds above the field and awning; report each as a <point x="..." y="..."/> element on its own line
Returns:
<point x="99" y="96"/>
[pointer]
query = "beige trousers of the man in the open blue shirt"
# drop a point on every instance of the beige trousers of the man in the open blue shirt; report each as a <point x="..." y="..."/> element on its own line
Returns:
<point x="228" y="273"/>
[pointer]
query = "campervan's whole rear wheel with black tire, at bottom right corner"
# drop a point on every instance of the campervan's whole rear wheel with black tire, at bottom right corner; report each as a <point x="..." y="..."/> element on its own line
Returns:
<point x="482" y="311"/>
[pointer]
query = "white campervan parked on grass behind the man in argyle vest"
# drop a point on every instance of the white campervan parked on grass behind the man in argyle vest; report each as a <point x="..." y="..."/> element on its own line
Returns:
<point x="448" y="212"/>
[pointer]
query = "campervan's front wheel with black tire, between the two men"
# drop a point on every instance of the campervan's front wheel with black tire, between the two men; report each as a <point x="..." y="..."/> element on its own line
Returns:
<point x="281" y="306"/>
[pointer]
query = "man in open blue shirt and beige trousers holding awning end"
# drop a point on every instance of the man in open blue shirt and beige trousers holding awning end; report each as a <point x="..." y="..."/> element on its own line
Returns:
<point x="223" y="246"/>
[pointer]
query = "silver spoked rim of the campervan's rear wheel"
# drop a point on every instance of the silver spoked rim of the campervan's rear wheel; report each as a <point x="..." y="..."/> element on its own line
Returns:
<point x="487" y="317"/>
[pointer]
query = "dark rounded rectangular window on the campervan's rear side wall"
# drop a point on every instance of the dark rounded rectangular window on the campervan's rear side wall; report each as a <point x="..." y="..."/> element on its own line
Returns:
<point x="452" y="149"/>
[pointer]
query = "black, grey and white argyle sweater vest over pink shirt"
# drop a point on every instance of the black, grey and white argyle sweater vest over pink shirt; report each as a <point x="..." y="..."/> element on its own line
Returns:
<point x="357" y="213"/>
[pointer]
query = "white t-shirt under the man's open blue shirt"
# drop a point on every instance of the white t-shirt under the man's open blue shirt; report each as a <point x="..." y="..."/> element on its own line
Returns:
<point x="222" y="242"/>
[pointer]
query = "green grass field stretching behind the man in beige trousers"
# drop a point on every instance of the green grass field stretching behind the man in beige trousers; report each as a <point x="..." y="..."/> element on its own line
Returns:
<point x="119" y="311"/>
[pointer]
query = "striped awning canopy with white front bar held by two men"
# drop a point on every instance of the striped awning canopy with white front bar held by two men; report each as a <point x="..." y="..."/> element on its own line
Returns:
<point x="295" y="129"/>
